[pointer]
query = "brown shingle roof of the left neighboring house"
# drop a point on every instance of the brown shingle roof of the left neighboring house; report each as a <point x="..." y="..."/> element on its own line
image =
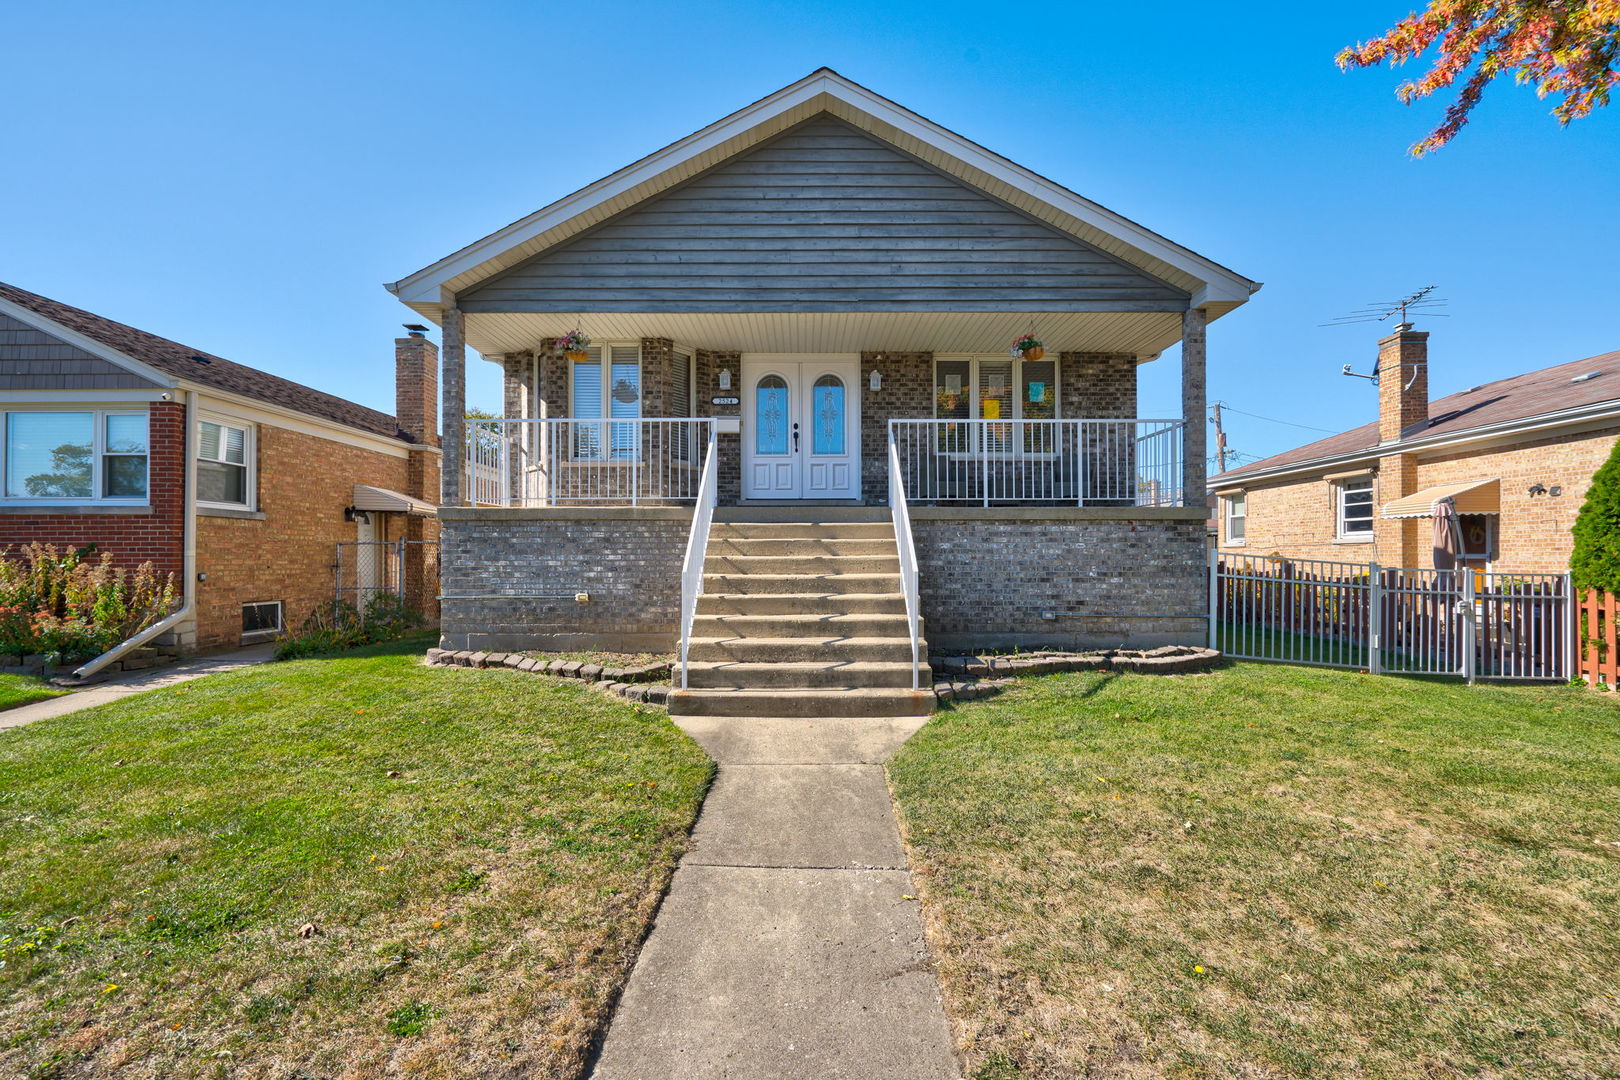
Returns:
<point x="207" y="368"/>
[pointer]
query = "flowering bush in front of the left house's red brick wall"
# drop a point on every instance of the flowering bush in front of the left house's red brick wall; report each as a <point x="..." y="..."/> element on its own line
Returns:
<point x="66" y="606"/>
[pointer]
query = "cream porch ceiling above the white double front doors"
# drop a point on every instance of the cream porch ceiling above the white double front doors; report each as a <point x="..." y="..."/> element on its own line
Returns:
<point x="1141" y="333"/>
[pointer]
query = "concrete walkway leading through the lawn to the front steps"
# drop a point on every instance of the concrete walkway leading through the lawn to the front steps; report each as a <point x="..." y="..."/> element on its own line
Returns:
<point x="788" y="946"/>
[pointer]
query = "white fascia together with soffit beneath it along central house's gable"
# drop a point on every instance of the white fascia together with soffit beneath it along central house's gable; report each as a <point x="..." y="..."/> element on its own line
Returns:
<point x="827" y="91"/>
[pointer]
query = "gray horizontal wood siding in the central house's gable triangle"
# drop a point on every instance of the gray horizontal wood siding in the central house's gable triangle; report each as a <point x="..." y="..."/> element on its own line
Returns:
<point x="824" y="218"/>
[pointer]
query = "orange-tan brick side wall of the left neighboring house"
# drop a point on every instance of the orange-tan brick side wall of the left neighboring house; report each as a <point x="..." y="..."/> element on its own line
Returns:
<point x="288" y="555"/>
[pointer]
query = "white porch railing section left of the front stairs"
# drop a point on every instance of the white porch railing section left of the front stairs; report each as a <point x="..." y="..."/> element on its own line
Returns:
<point x="518" y="462"/>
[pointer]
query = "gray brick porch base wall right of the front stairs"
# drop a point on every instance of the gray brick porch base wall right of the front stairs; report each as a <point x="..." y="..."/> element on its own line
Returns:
<point x="987" y="580"/>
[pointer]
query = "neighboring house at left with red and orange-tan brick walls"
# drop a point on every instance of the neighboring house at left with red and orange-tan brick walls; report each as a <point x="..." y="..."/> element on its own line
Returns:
<point x="96" y="449"/>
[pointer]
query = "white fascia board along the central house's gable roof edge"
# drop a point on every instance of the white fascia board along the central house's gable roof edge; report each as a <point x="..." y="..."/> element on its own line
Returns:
<point x="1219" y="286"/>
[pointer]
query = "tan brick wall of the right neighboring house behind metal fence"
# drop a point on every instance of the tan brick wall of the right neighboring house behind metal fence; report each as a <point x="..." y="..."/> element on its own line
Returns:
<point x="1533" y="534"/>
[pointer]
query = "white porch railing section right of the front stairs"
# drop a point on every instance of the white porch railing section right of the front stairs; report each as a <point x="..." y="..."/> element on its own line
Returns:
<point x="1075" y="462"/>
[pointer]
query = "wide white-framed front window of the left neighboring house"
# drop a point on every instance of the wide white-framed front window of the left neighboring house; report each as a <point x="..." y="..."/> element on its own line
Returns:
<point x="92" y="456"/>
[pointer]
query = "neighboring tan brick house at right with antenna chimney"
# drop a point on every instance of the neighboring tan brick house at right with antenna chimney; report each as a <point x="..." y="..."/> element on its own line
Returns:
<point x="1516" y="456"/>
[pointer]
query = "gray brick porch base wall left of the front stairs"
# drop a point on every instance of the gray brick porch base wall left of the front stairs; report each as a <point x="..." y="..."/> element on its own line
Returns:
<point x="628" y="561"/>
